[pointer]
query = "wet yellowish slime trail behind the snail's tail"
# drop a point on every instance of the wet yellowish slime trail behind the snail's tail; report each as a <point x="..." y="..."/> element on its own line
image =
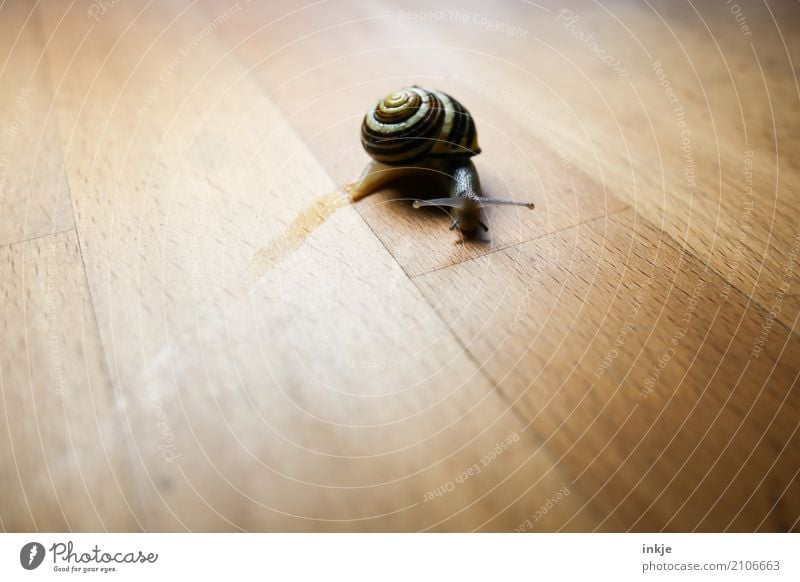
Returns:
<point x="307" y="221"/>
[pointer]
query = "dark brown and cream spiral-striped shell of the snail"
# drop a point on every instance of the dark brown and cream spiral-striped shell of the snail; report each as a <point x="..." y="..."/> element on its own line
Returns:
<point x="413" y="123"/>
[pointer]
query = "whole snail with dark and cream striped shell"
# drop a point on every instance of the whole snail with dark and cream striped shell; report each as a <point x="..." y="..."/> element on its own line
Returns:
<point x="415" y="130"/>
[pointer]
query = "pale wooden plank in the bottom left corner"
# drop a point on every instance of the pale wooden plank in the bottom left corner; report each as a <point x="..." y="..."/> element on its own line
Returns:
<point x="63" y="459"/>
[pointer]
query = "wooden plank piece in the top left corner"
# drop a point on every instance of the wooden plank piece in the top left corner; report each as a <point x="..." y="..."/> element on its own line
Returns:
<point x="34" y="199"/>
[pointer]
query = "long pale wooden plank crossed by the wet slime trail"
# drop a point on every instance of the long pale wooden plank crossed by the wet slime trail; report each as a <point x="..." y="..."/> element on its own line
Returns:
<point x="263" y="390"/>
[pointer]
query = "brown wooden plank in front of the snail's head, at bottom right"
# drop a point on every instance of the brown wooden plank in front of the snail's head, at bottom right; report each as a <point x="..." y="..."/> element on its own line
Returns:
<point x="674" y="404"/>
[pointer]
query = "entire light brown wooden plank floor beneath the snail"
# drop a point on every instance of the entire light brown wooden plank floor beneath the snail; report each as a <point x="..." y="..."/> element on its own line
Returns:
<point x="195" y="337"/>
